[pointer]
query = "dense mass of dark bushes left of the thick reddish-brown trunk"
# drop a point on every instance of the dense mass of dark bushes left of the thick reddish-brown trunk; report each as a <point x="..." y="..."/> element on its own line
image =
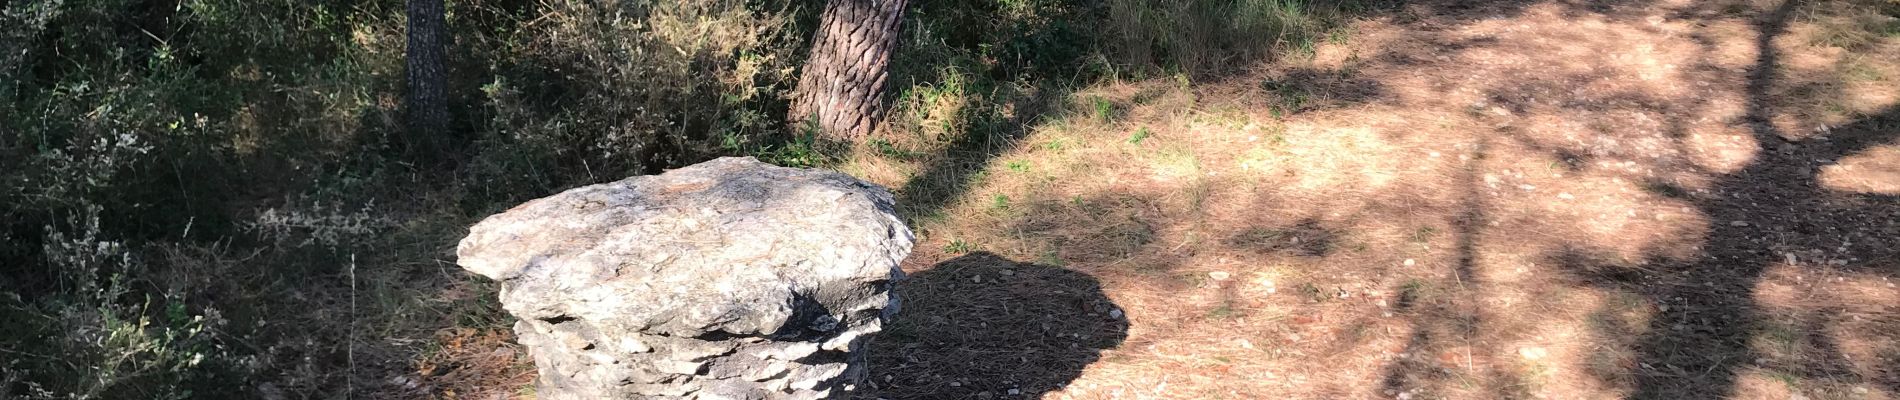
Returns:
<point x="183" y="185"/>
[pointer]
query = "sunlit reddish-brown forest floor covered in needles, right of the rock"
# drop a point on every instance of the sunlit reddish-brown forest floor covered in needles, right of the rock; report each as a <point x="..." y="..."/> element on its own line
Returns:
<point x="1449" y="200"/>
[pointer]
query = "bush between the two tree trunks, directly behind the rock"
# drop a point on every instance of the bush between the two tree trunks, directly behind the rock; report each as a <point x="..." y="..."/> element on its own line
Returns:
<point x="603" y="90"/>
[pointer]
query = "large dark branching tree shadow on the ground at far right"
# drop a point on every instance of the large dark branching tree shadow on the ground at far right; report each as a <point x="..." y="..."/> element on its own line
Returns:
<point x="1758" y="217"/>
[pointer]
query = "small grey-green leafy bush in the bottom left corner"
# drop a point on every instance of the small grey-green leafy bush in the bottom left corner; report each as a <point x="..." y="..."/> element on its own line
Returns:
<point x="96" y="344"/>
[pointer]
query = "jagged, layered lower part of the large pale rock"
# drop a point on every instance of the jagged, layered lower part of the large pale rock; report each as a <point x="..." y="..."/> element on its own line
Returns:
<point x="580" y="361"/>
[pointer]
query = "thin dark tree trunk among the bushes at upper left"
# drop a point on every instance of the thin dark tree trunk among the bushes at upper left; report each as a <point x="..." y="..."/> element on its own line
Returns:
<point x="427" y="105"/>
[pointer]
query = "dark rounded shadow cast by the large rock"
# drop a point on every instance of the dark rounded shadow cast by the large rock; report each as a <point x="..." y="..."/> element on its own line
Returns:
<point x="985" y="327"/>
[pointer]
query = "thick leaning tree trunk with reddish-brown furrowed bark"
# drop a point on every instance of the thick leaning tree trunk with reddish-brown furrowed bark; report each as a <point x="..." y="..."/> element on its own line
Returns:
<point x="841" y="88"/>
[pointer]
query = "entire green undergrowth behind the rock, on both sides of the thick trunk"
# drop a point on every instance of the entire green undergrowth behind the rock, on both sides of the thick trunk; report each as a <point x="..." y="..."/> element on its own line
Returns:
<point x="212" y="200"/>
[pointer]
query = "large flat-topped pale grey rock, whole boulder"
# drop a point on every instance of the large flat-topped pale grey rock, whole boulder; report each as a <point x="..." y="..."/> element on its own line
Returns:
<point x="725" y="280"/>
